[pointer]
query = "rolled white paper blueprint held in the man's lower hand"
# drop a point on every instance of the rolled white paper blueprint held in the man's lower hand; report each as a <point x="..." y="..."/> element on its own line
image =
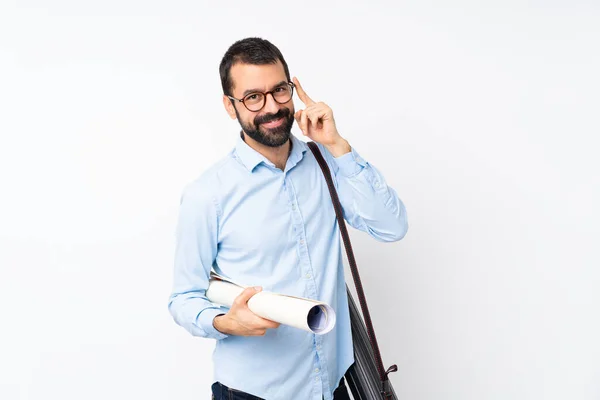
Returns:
<point x="306" y="314"/>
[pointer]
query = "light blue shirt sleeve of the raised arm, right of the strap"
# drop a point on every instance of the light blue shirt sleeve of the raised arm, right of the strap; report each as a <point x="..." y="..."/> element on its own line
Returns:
<point x="368" y="203"/>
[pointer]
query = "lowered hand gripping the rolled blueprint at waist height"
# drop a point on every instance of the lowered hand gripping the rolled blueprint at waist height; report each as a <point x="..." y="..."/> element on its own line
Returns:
<point x="240" y="321"/>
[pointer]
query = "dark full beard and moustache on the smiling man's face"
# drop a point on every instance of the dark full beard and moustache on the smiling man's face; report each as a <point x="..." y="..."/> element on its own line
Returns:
<point x="272" y="137"/>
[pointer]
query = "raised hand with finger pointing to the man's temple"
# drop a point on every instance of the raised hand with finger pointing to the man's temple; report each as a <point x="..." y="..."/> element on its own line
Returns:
<point x="316" y="120"/>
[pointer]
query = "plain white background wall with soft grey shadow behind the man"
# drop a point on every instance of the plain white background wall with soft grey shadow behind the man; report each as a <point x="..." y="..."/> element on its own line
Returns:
<point x="482" y="115"/>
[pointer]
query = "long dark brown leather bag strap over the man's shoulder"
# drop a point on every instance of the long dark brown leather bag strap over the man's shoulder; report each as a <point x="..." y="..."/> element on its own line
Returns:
<point x="383" y="373"/>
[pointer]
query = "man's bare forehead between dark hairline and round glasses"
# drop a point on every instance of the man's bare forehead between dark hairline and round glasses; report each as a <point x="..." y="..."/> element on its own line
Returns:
<point x="260" y="77"/>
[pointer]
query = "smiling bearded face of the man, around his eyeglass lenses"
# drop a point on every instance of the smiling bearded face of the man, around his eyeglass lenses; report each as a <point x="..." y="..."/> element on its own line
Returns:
<point x="272" y="125"/>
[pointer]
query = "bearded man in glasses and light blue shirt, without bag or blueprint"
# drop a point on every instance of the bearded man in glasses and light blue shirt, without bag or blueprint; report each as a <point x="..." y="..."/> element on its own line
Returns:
<point x="263" y="216"/>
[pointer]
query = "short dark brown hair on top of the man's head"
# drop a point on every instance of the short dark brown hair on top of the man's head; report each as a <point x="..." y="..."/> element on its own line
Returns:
<point x="255" y="51"/>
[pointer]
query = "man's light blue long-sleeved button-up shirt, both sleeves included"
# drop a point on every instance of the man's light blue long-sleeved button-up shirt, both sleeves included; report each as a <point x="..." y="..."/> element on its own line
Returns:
<point x="261" y="226"/>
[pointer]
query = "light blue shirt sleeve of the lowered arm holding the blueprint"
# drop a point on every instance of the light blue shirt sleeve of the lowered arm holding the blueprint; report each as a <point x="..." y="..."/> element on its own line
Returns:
<point x="195" y="251"/>
